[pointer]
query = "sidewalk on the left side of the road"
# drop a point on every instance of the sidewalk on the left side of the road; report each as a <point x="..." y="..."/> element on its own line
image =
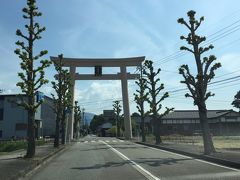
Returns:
<point x="13" y="165"/>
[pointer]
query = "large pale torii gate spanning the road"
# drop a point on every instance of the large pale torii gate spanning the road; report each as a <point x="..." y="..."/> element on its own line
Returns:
<point x="123" y="63"/>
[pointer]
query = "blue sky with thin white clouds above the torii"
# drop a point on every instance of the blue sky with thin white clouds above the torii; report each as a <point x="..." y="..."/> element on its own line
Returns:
<point x="108" y="28"/>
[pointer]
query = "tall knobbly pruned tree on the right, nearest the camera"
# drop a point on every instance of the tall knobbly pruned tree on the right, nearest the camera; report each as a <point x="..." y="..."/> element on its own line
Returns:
<point x="206" y="67"/>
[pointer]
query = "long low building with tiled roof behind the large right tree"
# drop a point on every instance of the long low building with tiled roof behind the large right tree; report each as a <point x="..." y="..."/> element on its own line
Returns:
<point x="186" y="122"/>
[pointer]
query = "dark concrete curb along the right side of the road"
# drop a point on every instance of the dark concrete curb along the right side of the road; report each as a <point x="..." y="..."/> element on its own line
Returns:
<point x="203" y="157"/>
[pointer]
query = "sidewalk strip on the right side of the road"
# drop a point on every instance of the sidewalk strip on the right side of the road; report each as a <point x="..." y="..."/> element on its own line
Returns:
<point x="229" y="158"/>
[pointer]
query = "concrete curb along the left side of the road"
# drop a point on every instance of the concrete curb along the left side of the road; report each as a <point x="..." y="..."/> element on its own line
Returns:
<point x="38" y="164"/>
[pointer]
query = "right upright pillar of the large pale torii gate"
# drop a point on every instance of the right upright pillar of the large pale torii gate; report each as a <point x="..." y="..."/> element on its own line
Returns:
<point x="126" y="110"/>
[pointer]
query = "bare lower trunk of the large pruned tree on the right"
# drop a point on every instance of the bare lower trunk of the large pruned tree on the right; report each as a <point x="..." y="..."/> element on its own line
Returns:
<point x="207" y="138"/>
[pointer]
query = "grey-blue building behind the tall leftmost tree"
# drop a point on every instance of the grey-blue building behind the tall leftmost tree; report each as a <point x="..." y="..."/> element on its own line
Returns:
<point x="13" y="118"/>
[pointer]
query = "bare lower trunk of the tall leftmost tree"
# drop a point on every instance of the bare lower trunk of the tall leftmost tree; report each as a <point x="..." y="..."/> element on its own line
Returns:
<point x="31" y="135"/>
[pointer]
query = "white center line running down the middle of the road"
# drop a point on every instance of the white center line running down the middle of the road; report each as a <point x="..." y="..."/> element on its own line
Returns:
<point x="139" y="168"/>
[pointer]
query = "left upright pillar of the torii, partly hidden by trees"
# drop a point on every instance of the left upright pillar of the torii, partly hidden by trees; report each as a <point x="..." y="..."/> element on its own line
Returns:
<point x="71" y="116"/>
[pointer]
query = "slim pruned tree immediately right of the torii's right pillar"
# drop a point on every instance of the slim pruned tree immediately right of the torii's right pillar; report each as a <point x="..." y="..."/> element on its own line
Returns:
<point x="140" y="97"/>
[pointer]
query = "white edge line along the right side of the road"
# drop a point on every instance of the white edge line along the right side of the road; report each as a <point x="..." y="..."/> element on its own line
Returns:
<point x="188" y="157"/>
